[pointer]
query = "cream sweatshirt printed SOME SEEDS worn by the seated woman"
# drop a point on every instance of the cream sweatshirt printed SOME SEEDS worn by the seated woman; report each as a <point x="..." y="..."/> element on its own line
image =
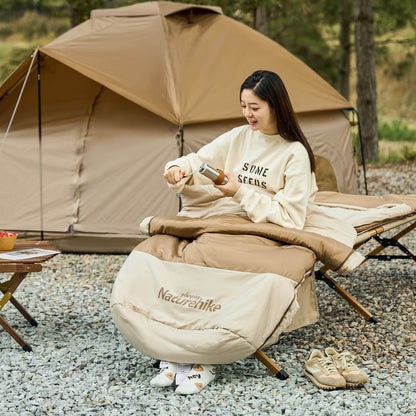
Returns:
<point x="275" y="175"/>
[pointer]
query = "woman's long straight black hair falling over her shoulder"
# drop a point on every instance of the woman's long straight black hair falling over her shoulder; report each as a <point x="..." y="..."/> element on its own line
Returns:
<point x="269" y="87"/>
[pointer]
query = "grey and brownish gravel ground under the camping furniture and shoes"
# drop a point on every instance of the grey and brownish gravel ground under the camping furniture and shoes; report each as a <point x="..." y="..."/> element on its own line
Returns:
<point x="81" y="365"/>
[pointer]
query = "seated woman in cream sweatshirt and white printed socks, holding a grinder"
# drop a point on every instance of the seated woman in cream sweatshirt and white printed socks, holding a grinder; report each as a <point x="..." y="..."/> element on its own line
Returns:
<point x="270" y="170"/>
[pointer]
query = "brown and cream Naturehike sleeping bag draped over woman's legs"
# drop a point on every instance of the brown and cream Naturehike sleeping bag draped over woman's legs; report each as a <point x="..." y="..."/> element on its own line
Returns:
<point x="218" y="289"/>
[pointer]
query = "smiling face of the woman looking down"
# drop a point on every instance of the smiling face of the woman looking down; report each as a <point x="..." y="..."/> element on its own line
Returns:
<point x="257" y="112"/>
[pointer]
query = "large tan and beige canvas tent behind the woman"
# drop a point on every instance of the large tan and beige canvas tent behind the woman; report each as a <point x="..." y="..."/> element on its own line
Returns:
<point x="123" y="93"/>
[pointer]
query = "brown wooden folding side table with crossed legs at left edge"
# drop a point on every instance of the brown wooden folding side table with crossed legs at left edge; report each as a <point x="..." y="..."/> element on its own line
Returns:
<point x="20" y="270"/>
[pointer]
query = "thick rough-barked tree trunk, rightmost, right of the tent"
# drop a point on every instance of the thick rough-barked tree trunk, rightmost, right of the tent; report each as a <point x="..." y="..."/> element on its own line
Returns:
<point x="366" y="78"/>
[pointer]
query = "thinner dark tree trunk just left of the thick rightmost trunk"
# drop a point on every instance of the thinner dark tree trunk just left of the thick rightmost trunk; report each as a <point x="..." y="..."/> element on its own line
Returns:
<point x="345" y="43"/>
